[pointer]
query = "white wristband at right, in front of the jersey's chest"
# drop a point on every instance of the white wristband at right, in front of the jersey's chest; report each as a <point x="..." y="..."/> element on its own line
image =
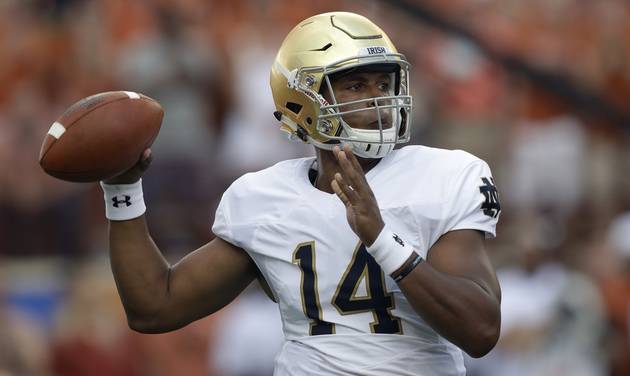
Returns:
<point x="390" y="251"/>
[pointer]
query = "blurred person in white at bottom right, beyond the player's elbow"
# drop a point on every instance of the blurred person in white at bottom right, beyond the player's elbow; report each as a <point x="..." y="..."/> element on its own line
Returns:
<point x="551" y="316"/>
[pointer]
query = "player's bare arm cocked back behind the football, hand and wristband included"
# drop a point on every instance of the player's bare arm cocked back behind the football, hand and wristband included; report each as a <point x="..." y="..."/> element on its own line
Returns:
<point x="158" y="297"/>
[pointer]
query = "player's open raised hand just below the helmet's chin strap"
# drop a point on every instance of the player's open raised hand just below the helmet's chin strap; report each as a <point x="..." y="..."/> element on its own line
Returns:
<point x="354" y="191"/>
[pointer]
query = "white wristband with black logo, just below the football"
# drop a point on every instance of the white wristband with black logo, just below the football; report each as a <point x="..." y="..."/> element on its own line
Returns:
<point x="123" y="201"/>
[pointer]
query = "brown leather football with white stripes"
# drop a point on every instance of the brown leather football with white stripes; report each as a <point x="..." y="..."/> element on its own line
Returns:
<point x="100" y="136"/>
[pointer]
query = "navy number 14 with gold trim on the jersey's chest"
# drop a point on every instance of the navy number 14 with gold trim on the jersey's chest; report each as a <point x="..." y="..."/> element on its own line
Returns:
<point x="345" y="300"/>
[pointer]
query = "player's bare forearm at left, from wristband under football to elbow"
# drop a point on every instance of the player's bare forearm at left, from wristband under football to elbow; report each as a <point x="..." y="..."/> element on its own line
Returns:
<point x="140" y="271"/>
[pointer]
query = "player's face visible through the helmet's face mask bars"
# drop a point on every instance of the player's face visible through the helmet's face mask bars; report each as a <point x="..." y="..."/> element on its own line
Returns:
<point x="363" y="85"/>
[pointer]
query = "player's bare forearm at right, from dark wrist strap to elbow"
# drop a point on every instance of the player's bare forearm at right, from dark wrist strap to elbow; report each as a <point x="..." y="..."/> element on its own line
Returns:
<point x="463" y="311"/>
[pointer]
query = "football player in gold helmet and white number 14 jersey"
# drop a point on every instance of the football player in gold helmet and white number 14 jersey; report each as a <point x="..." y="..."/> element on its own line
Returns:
<point x="376" y="257"/>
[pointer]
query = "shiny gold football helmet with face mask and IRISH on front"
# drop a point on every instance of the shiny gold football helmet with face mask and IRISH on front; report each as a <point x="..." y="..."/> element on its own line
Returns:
<point x="328" y="45"/>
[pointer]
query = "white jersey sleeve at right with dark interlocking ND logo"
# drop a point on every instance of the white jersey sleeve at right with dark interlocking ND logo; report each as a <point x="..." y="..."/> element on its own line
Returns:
<point x="474" y="201"/>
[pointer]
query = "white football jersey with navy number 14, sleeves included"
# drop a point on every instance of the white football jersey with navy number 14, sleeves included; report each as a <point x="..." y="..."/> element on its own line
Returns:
<point x="341" y="315"/>
